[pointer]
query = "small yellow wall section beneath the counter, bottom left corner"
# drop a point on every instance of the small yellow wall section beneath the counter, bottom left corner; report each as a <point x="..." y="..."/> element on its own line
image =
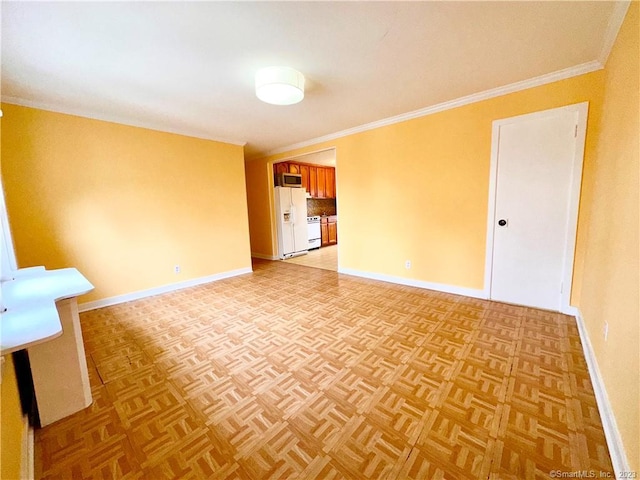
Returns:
<point x="11" y="427"/>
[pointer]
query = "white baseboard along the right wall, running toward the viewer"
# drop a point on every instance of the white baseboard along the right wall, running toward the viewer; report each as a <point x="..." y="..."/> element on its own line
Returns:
<point x="611" y="432"/>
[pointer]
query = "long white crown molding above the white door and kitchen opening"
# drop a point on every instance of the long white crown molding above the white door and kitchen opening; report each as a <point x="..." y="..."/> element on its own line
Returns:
<point x="440" y="107"/>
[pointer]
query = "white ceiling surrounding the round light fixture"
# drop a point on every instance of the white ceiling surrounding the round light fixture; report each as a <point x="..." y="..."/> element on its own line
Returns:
<point x="188" y="67"/>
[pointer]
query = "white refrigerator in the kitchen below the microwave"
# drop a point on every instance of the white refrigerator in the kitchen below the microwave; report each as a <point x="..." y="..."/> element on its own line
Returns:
<point x="291" y="215"/>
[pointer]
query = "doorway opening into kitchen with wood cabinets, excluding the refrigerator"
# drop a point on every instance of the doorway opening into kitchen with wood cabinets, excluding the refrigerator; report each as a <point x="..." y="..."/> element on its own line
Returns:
<point x="316" y="172"/>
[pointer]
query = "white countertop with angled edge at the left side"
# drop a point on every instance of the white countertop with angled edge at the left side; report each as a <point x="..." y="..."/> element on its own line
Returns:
<point x="29" y="314"/>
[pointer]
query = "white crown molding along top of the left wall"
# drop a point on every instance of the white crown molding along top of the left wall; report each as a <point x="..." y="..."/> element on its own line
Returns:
<point x="79" y="112"/>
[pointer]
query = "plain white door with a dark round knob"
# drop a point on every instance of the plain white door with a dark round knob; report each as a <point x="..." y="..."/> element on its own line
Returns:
<point x="537" y="165"/>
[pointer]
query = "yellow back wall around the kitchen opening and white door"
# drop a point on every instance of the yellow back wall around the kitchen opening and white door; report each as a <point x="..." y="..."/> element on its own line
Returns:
<point x="418" y="189"/>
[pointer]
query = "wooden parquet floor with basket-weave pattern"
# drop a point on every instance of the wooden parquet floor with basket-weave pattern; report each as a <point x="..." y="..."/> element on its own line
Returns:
<point x="301" y="373"/>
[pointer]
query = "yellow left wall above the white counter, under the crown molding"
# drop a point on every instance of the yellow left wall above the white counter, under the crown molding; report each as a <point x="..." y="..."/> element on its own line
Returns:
<point x="122" y="204"/>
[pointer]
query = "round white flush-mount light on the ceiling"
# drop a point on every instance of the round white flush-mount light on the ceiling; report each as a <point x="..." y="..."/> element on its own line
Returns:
<point x="279" y="85"/>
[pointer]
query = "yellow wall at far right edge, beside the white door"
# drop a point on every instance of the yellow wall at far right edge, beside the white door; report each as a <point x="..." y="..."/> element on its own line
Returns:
<point x="610" y="291"/>
